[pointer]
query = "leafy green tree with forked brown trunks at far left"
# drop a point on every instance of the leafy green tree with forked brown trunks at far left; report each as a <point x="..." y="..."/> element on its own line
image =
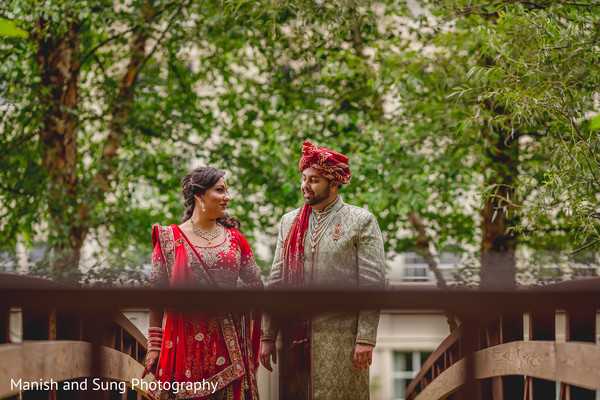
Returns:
<point x="89" y="121"/>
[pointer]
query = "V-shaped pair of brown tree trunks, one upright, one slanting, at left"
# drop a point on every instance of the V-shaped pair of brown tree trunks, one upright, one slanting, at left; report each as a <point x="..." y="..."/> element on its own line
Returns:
<point x="58" y="60"/>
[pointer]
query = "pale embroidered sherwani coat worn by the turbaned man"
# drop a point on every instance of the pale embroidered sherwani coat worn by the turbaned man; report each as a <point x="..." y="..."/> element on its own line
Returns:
<point x="349" y="254"/>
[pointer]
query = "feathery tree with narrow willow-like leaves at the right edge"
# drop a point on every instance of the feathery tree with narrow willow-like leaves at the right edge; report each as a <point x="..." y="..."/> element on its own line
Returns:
<point x="536" y="81"/>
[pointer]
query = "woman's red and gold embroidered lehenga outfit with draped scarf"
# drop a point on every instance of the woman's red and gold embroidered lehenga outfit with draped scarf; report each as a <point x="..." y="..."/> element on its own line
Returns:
<point x="199" y="347"/>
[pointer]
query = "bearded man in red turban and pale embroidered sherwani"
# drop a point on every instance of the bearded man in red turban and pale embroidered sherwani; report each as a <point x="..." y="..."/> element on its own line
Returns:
<point x="325" y="244"/>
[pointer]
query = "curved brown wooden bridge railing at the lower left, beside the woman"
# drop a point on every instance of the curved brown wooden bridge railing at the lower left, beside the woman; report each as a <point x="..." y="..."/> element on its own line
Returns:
<point x="81" y="352"/>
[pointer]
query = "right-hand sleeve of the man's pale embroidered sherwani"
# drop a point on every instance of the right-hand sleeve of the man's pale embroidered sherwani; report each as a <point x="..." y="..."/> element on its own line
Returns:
<point x="371" y="275"/>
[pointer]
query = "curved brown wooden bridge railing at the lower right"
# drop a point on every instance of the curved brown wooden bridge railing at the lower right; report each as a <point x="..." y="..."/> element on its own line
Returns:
<point x="519" y="354"/>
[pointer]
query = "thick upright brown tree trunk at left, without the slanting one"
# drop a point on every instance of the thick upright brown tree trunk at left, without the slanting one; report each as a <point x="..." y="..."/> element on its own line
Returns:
<point x="58" y="62"/>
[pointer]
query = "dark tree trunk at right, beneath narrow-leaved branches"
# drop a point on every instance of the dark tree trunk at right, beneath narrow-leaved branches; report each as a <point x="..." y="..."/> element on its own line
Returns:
<point x="498" y="243"/>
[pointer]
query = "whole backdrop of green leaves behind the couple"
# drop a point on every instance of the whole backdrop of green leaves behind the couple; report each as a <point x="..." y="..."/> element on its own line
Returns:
<point x="416" y="99"/>
